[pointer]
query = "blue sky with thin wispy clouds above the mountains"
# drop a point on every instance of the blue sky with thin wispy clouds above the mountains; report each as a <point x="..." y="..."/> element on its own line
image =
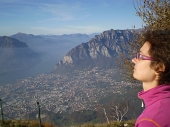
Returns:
<point x="66" y="16"/>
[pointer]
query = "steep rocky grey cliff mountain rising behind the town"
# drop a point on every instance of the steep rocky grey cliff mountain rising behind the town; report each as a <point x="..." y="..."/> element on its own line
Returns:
<point x="107" y="45"/>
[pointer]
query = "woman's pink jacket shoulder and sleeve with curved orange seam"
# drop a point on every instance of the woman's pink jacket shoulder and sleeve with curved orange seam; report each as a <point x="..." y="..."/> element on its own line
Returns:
<point x="156" y="115"/>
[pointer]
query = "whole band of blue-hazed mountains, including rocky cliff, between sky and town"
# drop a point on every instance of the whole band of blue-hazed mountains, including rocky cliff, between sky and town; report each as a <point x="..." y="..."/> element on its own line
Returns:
<point x="62" y="53"/>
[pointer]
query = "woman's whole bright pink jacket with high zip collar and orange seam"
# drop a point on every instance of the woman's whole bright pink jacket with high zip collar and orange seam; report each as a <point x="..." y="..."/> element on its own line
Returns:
<point x="157" y="107"/>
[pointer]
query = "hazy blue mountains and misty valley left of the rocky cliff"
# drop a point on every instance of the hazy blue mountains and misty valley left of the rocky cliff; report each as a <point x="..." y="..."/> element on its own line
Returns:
<point x="49" y="48"/>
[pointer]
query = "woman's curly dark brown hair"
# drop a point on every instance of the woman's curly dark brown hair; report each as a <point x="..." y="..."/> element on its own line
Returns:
<point x="160" y="50"/>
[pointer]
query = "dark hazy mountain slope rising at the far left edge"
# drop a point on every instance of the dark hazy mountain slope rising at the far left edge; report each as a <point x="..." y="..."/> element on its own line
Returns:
<point x="15" y="55"/>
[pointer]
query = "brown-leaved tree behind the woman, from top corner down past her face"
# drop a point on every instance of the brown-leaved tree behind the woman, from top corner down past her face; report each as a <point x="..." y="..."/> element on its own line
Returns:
<point x="155" y="15"/>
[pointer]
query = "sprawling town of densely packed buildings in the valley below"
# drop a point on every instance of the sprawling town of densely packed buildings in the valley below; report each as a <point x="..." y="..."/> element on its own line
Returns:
<point x="78" y="90"/>
